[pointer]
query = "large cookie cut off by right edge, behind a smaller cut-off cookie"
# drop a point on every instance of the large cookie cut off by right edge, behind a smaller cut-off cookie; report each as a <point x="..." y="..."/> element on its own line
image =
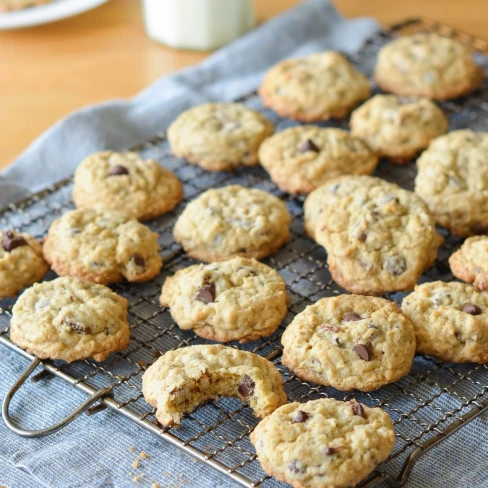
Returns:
<point x="453" y="179"/>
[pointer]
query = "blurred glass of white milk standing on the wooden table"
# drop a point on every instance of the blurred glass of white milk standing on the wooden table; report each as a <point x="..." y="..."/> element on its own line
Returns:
<point x="197" y="24"/>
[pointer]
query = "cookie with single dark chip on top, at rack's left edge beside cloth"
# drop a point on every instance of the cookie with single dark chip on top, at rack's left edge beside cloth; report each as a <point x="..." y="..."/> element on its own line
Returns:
<point x="126" y="183"/>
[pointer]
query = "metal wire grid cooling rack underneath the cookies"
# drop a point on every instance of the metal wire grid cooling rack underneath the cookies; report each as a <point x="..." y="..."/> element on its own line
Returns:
<point x="428" y="405"/>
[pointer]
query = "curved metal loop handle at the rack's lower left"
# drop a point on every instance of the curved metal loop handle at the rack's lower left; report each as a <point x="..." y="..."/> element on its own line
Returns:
<point x="53" y="428"/>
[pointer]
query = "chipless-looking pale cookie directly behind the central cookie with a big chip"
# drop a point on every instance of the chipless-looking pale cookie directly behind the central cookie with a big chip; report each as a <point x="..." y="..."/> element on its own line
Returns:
<point x="232" y="221"/>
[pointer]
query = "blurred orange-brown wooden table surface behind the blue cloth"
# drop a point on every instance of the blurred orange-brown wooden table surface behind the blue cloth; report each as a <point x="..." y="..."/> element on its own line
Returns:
<point x="51" y="70"/>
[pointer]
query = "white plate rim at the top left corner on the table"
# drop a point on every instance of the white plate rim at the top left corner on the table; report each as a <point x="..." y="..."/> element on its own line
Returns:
<point x="43" y="14"/>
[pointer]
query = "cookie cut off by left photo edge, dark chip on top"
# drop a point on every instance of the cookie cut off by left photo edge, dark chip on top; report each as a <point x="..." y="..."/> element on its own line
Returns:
<point x="21" y="262"/>
